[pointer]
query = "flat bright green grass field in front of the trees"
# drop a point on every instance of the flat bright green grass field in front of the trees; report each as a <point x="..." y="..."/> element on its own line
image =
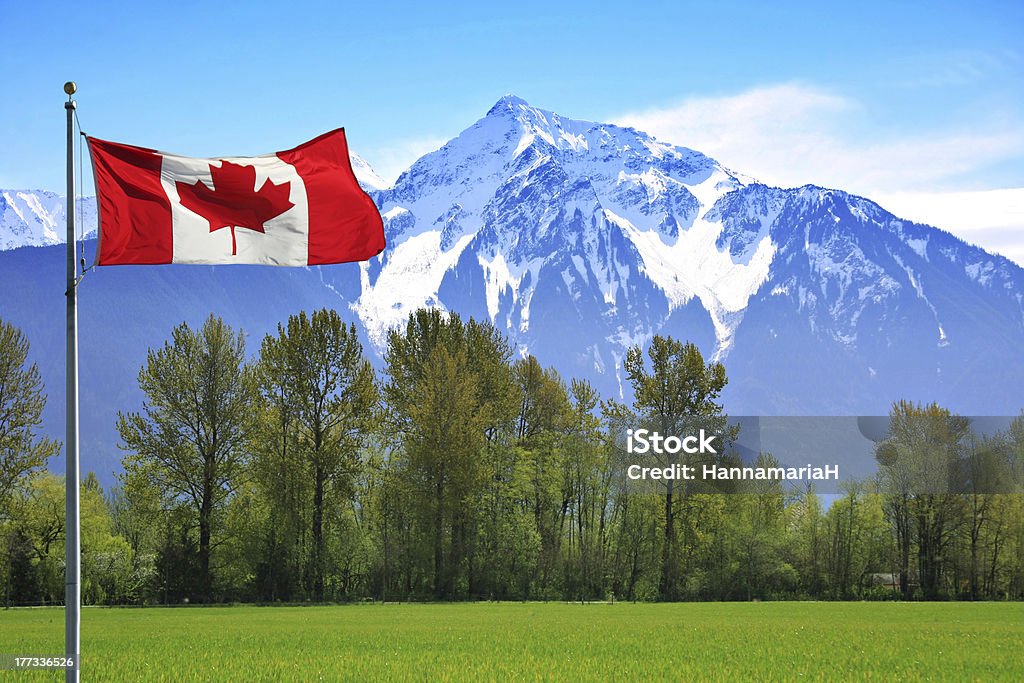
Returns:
<point x="535" y="642"/>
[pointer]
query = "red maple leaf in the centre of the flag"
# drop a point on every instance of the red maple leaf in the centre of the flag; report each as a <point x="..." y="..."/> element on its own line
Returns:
<point x="235" y="202"/>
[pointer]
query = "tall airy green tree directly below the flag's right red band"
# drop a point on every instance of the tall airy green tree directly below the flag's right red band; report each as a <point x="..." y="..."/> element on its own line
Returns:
<point x="320" y="400"/>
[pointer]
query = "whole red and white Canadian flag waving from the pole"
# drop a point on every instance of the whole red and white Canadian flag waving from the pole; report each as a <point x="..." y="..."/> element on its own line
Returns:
<point x="300" y="207"/>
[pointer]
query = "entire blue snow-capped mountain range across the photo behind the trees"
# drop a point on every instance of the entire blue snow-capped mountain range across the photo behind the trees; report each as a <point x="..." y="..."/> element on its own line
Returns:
<point x="579" y="240"/>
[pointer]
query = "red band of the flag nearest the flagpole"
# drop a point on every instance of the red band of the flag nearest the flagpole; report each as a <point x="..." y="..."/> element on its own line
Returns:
<point x="135" y="211"/>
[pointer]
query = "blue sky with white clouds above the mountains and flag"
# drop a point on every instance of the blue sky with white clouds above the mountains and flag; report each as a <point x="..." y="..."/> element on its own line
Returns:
<point x="920" y="106"/>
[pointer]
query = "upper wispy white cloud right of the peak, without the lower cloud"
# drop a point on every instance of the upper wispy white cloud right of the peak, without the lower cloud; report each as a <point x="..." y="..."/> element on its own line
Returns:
<point x="793" y="135"/>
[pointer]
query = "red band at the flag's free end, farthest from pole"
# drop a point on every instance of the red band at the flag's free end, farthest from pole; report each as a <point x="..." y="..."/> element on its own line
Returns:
<point x="345" y="224"/>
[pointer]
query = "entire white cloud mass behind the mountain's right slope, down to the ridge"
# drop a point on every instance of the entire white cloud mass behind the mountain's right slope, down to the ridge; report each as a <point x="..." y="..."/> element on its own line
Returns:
<point x="793" y="135"/>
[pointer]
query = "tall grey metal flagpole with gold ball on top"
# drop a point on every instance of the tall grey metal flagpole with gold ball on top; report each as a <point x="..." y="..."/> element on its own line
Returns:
<point x="73" y="592"/>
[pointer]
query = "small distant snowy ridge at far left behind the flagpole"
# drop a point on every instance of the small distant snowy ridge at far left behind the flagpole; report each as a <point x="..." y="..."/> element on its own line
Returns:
<point x="36" y="219"/>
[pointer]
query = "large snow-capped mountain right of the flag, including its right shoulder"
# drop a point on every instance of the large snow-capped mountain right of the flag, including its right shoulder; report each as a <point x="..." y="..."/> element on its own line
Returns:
<point x="581" y="239"/>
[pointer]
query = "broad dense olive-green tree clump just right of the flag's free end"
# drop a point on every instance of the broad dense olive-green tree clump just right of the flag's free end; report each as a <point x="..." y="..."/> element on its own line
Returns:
<point x="450" y="399"/>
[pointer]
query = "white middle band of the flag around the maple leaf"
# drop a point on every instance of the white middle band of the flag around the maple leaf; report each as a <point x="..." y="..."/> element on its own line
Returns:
<point x="285" y="241"/>
